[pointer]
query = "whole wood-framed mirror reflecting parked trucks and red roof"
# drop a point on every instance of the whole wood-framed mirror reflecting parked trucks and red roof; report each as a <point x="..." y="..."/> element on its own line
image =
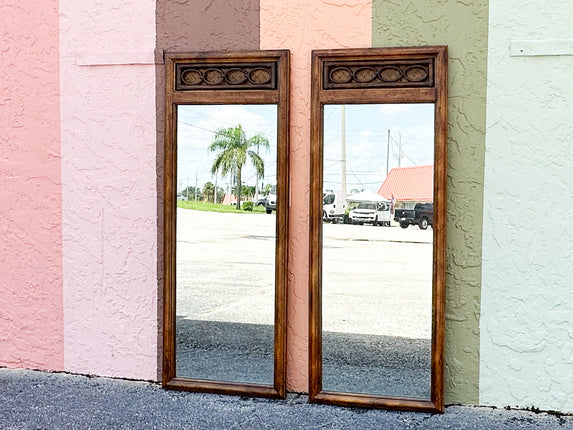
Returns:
<point x="377" y="291"/>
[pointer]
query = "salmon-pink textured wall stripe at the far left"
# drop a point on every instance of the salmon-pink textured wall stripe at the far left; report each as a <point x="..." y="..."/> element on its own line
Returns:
<point x="31" y="314"/>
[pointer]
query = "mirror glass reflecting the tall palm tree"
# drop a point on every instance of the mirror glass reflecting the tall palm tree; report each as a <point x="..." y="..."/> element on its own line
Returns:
<point x="225" y="242"/>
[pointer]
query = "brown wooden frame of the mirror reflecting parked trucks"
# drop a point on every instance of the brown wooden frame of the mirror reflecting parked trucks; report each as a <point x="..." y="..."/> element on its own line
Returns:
<point x="347" y="89"/>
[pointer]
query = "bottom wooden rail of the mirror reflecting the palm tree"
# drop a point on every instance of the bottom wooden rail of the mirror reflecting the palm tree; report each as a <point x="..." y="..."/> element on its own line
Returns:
<point x="221" y="387"/>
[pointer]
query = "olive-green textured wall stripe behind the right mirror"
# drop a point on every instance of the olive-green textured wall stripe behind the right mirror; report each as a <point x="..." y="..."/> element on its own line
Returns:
<point x="463" y="26"/>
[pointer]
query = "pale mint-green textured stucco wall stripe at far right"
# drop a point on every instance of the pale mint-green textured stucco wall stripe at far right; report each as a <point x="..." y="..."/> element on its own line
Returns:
<point x="527" y="299"/>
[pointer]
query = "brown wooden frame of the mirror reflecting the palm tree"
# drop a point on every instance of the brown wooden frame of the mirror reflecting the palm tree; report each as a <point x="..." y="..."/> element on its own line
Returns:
<point x="184" y="88"/>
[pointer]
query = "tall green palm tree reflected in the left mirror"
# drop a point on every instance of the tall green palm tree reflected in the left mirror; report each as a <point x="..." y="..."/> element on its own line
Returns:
<point x="233" y="150"/>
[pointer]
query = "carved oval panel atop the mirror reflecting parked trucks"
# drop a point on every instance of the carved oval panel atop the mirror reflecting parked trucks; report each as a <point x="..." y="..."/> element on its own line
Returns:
<point x="378" y="74"/>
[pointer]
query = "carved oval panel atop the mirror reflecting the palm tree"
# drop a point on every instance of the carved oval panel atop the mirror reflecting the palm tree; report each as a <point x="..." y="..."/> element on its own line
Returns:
<point x="227" y="76"/>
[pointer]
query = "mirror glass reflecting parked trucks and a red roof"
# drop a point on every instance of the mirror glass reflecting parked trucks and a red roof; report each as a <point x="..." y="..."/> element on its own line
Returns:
<point x="377" y="249"/>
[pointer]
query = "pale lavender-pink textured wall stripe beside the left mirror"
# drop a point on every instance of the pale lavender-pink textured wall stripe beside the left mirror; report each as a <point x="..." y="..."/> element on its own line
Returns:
<point x="109" y="188"/>
